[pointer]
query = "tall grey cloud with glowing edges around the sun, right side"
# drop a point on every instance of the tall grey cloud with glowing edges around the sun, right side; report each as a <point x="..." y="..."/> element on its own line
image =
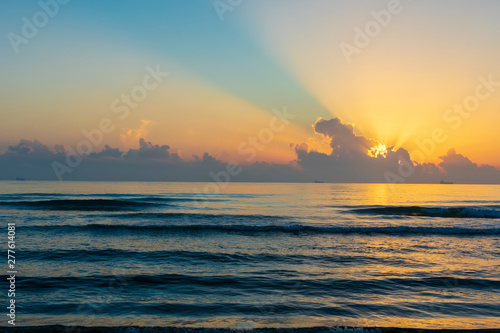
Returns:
<point x="352" y="160"/>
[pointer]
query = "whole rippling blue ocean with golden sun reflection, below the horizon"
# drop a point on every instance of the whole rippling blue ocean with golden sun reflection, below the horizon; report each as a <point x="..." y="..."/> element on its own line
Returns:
<point x="253" y="255"/>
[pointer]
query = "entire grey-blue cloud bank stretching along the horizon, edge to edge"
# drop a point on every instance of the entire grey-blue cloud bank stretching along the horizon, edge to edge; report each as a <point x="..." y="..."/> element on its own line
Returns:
<point x="349" y="161"/>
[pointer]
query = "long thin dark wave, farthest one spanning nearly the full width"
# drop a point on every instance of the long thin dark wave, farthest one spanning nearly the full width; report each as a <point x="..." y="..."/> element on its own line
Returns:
<point x="297" y="229"/>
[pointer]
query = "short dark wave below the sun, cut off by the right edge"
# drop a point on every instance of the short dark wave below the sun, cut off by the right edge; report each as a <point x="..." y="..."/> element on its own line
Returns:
<point x="488" y="212"/>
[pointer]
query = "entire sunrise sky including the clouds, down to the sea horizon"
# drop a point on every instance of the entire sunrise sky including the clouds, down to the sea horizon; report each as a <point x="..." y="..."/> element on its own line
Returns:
<point x="291" y="90"/>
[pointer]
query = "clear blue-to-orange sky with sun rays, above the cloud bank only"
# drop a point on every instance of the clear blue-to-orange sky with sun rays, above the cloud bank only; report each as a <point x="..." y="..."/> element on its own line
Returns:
<point x="230" y="66"/>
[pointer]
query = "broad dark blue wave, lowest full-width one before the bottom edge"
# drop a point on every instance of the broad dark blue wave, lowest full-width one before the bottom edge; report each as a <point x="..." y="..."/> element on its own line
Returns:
<point x="256" y="284"/>
